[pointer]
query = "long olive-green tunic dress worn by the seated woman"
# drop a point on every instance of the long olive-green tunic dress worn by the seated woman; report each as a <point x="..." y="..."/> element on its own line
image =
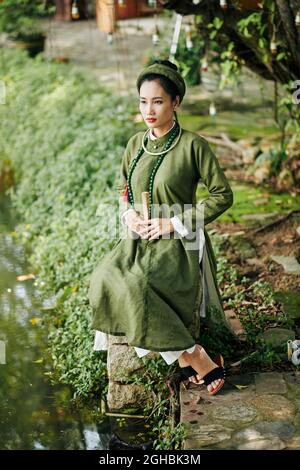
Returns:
<point x="152" y="291"/>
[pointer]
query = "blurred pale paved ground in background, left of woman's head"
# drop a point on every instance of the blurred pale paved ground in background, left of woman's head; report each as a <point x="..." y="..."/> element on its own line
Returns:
<point x="117" y="63"/>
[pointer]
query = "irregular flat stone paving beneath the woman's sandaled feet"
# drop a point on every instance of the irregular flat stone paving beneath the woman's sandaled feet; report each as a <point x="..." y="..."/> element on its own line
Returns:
<point x="257" y="411"/>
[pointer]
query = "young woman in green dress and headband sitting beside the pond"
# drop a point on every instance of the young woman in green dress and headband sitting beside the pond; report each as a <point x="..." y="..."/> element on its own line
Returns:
<point x="155" y="284"/>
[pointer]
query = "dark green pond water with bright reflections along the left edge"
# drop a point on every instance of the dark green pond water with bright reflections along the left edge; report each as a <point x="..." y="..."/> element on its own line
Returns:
<point x="33" y="414"/>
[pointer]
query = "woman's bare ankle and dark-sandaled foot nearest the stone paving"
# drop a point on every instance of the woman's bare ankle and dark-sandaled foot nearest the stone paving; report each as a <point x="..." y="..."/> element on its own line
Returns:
<point x="203" y="364"/>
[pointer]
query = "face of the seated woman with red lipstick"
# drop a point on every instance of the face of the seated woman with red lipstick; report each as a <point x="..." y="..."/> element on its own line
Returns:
<point x="156" y="105"/>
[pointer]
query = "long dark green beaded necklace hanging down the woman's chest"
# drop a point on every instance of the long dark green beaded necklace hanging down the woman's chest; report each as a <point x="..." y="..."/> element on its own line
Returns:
<point x="134" y="162"/>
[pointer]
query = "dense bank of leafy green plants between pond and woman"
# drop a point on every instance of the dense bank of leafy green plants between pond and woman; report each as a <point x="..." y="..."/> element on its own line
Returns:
<point x="65" y="135"/>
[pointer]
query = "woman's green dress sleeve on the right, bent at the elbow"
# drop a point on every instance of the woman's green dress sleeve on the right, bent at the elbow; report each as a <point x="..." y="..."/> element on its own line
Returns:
<point x="221" y="195"/>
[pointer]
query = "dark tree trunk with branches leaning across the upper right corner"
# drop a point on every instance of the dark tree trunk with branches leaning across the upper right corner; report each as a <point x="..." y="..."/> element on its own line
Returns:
<point x="247" y="48"/>
